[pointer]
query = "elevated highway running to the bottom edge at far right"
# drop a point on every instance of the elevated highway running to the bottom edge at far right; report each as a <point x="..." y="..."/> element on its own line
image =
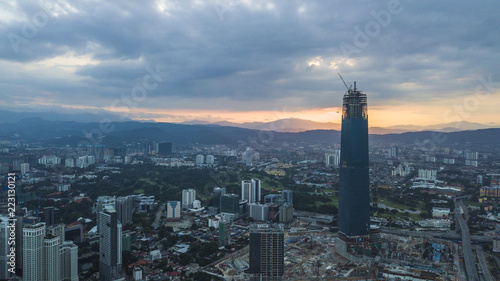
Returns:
<point x="470" y="266"/>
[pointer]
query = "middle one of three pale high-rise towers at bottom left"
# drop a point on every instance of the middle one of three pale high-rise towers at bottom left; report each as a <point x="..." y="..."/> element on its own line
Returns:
<point x="51" y="258"/>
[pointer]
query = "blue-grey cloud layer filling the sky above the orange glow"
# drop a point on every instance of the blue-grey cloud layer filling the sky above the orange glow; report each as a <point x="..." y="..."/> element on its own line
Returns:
<point x="258" y="50"/>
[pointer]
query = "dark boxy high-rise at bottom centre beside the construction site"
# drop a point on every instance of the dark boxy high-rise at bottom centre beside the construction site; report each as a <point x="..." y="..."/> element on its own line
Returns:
<point x="266" y="253"/>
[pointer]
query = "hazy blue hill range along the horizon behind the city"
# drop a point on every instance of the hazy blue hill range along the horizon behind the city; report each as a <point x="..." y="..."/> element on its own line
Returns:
<point x="71" y="133"/>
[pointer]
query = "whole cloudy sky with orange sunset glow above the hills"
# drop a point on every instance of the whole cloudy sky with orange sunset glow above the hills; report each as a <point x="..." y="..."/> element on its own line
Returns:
<point x="419" y="62"/>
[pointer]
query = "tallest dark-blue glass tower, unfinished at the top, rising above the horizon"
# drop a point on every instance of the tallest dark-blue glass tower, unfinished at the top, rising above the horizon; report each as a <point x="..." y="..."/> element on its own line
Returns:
<point x="354" y="197"/>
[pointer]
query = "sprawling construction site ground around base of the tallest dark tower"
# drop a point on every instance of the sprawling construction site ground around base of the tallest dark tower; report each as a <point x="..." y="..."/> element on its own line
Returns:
<point x="312" y="256"/>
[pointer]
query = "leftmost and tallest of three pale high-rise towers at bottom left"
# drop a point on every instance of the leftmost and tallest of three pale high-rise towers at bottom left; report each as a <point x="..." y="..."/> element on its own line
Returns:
<point x="33" y="241"/>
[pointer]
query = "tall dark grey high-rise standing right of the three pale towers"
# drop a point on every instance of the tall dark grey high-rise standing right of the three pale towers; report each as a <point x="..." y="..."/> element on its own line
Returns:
<point x="110" y="244"/>
